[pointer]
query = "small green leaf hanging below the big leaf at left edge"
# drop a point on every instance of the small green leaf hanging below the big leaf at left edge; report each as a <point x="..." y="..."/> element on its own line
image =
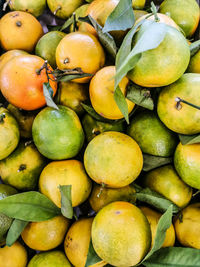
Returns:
<point x="15" y="231"/>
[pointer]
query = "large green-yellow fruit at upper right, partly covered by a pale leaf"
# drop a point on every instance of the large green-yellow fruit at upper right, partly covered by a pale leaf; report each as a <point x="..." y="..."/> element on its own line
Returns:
<point x="162" y="65"/>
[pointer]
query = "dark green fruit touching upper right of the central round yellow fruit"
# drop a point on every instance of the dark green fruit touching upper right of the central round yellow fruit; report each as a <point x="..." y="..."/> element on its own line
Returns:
<point x="152" y="135"/>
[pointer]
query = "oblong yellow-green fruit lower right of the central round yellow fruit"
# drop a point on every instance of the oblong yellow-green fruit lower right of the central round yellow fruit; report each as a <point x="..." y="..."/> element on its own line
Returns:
<point x="165" y="181"/>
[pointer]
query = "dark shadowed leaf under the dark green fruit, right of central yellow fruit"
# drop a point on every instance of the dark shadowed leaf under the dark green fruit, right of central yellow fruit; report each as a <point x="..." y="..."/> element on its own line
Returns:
<point x="152" y="162"/>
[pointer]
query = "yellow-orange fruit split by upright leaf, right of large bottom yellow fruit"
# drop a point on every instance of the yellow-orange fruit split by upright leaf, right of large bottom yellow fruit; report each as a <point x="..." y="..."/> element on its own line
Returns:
<point x="153" y="219"/>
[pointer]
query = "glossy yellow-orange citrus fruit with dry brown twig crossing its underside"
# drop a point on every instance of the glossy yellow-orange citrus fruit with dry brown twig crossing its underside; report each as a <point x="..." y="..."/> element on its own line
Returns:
<point x="80" y="50"/>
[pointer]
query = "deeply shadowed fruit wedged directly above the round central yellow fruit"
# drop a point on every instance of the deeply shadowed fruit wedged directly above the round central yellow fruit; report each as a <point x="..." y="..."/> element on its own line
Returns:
<point x="93" y="127"/>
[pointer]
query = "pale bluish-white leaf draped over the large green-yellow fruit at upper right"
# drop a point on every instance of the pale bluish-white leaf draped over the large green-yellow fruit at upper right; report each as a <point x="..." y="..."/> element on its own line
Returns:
<point x="152" y="34"/>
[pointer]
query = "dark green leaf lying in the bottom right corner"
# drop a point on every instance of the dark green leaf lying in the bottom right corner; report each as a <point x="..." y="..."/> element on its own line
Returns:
<point x="174" y="257"/>
